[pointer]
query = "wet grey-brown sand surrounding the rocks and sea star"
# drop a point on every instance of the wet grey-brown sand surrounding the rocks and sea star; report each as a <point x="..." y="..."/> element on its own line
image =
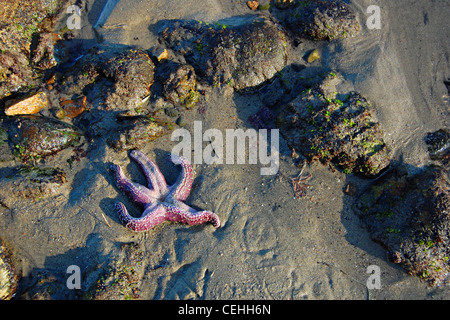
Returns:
<point x="270" y="245"/>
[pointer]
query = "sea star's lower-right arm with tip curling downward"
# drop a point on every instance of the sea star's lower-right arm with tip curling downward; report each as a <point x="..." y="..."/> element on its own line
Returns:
<point x="190" y="216"/>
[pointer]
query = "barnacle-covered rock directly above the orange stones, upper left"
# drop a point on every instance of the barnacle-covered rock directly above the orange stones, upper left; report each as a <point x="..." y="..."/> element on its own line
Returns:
<point x="128" y="73"/>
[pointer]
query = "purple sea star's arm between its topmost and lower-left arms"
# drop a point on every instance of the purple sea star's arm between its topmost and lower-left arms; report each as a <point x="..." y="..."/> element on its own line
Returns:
<point x="140" y="194"/>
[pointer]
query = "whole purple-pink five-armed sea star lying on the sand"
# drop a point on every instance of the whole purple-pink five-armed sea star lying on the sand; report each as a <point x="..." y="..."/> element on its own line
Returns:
<point x="160" y="201"/>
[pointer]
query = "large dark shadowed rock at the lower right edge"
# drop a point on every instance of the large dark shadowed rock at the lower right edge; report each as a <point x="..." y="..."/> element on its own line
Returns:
<point x="409" y="215"/>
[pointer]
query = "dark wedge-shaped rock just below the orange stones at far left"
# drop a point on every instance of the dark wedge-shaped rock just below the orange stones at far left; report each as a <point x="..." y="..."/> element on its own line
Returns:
<point x="33" y="137"/>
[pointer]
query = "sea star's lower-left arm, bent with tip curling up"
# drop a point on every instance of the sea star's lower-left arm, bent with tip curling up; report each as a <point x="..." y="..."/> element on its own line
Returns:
<point x="151" y="217"/>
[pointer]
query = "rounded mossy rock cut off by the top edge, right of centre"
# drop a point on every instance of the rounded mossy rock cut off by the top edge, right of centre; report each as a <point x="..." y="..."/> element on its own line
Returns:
<point x="321" y="20"/>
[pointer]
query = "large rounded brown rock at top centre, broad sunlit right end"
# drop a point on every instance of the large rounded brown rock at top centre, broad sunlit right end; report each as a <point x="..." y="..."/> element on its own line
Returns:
<point x="242" y="51"/>
